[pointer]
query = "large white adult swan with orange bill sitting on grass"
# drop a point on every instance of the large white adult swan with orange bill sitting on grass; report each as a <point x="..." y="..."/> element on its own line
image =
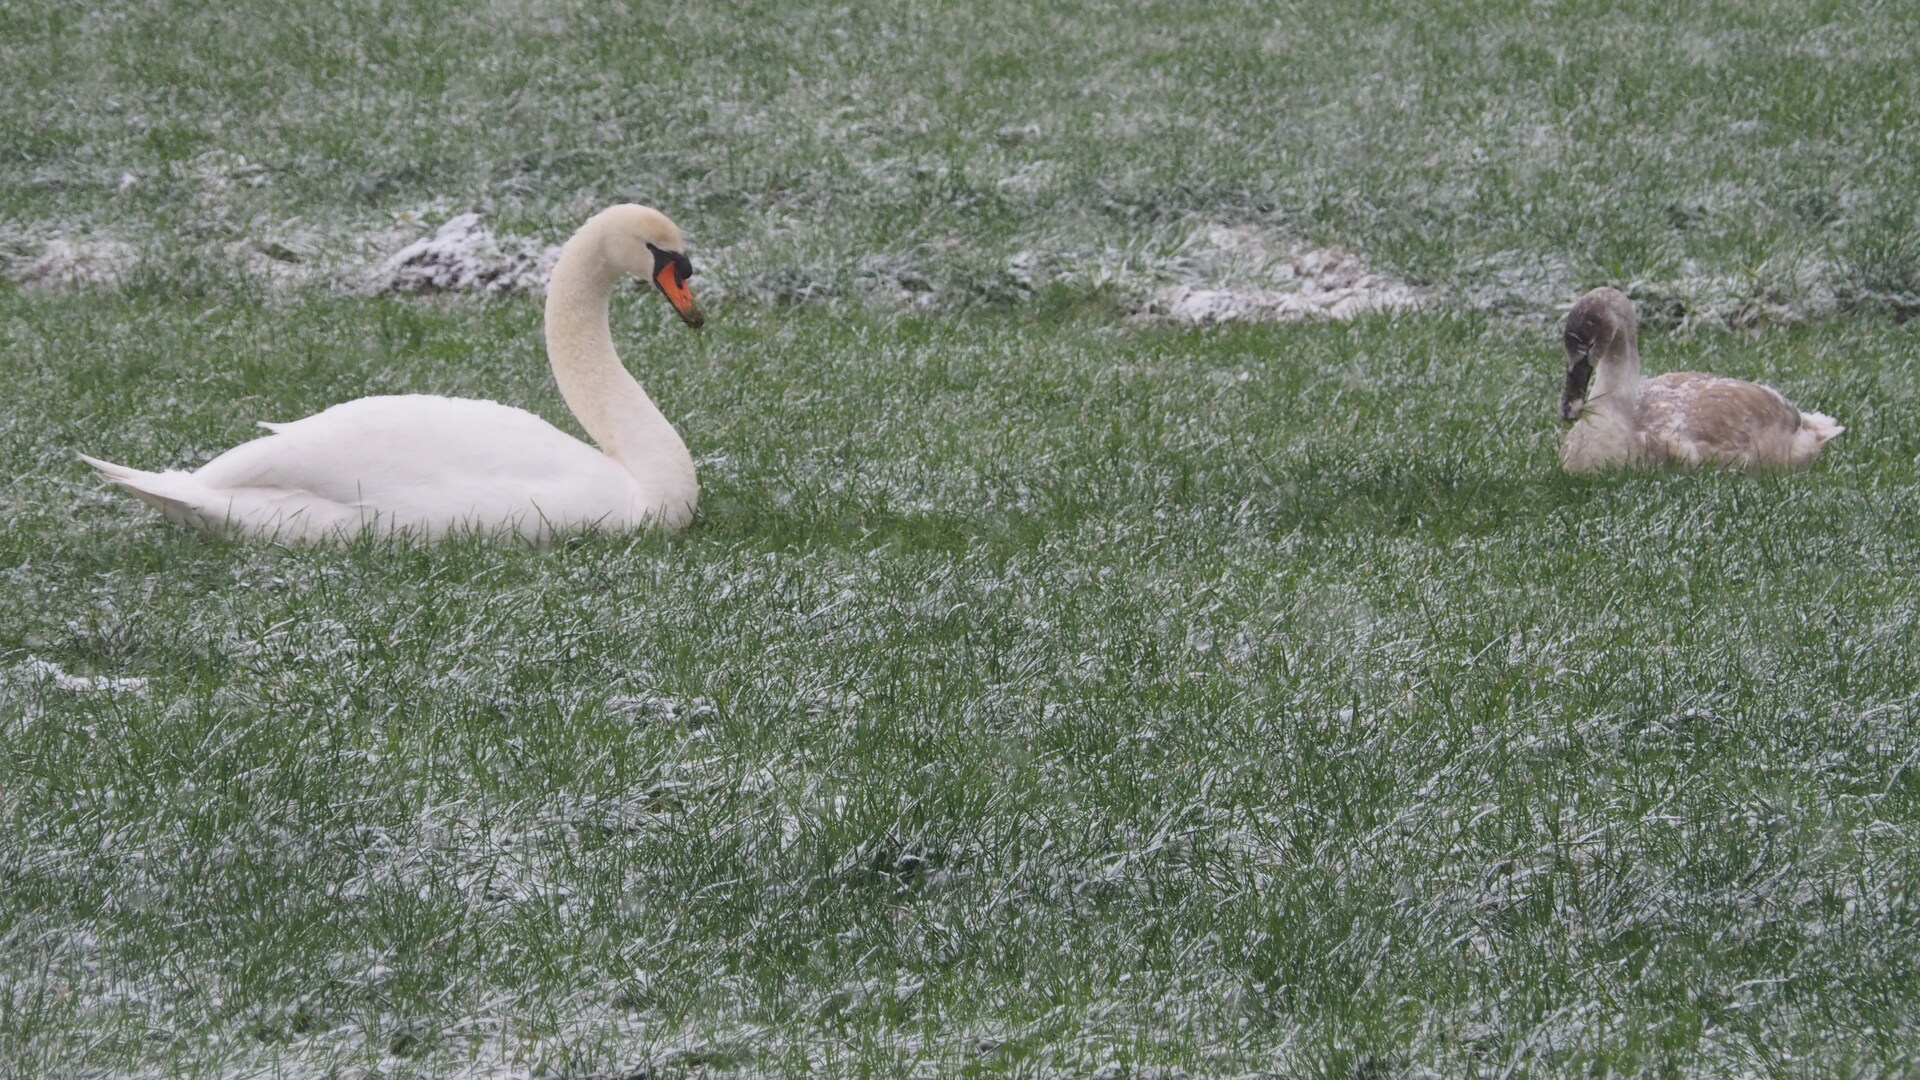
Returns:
<point x="427" y="466"/>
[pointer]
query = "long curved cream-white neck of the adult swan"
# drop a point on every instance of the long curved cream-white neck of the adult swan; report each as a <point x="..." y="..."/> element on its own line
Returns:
<point x="610" y="405"/>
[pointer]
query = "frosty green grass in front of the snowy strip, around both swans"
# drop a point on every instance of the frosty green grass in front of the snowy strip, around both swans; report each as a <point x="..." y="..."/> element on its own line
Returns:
<point x="1030" y="697"/>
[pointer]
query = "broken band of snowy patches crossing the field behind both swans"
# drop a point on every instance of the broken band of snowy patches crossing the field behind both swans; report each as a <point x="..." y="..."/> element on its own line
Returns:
<point x="1218" y="274"/>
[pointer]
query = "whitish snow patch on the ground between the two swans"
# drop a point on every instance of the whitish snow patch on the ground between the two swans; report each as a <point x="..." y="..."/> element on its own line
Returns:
<point x="1239" y="276"/>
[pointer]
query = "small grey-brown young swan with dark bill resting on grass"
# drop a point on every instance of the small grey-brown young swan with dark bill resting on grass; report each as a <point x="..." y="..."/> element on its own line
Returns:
<point x="1681" y="418"/>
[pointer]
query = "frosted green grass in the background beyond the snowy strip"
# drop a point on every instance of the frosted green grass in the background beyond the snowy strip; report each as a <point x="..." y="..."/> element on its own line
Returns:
<point x="1512" y="155"/>
